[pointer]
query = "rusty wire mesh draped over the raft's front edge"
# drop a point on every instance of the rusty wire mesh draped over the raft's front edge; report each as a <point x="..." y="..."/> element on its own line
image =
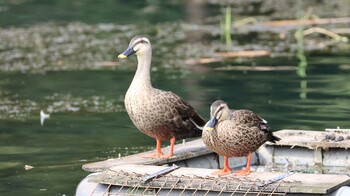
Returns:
<point x="123" y="183"/>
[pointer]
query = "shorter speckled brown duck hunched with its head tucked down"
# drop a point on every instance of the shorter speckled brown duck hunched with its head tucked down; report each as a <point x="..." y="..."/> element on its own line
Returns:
<point x="235" y="133"/>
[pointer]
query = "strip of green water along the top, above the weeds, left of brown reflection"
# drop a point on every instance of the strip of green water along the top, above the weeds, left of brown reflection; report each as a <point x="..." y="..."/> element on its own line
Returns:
<point x="28" y="12"/>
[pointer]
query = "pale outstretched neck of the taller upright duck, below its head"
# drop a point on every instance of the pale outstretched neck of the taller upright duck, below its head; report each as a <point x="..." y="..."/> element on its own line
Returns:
<point x="142" y="76"/>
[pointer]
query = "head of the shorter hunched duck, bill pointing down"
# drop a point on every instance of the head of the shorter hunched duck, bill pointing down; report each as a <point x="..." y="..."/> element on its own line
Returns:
<point x="219" y="111"/>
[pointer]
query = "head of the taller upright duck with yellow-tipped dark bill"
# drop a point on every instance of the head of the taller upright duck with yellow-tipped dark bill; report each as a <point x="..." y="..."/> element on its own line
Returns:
<point x="139" y="45"/>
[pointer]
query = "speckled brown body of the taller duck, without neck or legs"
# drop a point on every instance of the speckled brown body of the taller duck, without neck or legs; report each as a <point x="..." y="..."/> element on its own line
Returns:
<point x="162" y="114"/>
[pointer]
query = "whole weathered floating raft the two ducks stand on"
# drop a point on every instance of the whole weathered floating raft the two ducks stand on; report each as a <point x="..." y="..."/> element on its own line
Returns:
<point x="302" y="163"/>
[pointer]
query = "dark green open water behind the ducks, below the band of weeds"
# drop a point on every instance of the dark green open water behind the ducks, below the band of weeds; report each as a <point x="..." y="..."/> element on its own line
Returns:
<point x="69" y="139"/>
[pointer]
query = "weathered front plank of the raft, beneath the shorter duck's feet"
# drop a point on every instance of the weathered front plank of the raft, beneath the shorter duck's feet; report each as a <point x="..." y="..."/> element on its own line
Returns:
<point x="129" y="178"/>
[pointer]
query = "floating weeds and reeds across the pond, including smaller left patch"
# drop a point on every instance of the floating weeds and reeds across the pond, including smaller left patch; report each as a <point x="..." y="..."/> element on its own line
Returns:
<point x="249" y="30"/>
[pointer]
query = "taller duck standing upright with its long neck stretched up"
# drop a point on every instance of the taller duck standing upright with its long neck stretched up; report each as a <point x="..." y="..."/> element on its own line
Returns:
<point x="160" y="114"/>
